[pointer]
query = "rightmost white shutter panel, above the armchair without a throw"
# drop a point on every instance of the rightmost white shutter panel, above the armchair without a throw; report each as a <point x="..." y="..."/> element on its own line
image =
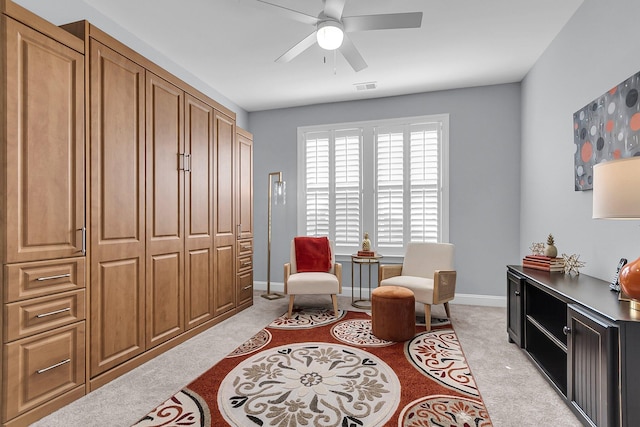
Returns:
<point x="424" y="183"/>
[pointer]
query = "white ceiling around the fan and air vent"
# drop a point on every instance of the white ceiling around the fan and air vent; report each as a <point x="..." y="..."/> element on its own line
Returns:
<point x="231" y="45"/>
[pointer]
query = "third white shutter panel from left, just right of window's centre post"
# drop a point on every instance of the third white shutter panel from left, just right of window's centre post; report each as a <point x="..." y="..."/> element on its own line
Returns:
<point x="390" y="188"/>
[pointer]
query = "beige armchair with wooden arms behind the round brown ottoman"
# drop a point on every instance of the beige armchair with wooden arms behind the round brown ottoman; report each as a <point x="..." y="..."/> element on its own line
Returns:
<point x="428" y="271"/>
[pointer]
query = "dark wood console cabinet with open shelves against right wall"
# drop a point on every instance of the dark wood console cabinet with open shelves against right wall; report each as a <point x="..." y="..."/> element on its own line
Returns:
<point x="582" y="338"/>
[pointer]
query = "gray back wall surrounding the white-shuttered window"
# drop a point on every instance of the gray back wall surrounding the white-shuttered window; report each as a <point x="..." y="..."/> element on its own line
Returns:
<point x="484" y="175"/>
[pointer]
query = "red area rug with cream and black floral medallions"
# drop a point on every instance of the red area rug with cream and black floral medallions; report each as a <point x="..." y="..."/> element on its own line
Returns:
<point x="318" y="370"/>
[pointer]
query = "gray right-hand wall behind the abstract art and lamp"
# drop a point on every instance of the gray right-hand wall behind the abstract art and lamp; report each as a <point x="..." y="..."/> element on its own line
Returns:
<point x="597" y="49"/>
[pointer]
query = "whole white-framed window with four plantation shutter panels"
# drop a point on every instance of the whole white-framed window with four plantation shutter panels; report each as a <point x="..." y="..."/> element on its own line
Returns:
<point x="388" y="178"/>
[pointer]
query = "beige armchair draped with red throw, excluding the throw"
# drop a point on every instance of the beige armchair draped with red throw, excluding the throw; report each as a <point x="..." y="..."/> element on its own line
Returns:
<point x="312" y="283"/>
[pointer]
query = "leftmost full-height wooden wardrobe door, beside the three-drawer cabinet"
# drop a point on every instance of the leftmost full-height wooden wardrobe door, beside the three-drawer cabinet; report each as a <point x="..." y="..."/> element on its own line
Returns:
<point x="117" y="231"/>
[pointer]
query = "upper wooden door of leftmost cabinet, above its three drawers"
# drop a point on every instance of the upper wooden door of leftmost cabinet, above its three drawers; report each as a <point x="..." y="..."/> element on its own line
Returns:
<point x="45" y="146"/>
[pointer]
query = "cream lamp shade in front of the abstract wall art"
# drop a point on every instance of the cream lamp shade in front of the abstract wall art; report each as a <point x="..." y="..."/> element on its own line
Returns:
<point x="616" y="189"/>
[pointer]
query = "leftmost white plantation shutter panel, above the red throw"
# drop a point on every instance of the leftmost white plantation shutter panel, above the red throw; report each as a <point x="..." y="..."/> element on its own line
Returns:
<point x="317" y="183"/>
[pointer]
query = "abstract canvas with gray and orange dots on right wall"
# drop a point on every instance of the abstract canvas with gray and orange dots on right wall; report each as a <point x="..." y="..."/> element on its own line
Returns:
<point x="605" y="129"/>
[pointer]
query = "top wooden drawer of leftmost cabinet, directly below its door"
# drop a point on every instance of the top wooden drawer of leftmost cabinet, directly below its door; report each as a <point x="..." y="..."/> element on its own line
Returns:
<point x="34" y="279"/>
